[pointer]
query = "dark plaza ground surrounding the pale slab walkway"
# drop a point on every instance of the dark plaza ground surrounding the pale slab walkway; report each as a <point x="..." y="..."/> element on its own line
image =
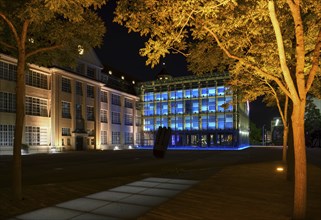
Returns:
<point x="229" y="180"/>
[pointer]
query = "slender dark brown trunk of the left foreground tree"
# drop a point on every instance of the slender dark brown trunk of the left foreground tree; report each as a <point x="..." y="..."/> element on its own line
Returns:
<point x="20" y="115"/>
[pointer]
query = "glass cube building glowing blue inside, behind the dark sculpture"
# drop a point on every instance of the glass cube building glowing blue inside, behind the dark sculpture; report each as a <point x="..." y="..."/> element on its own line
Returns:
<point x="199" y="110"/>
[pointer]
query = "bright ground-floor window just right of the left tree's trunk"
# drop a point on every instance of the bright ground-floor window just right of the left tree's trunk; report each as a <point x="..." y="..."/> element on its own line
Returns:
<point x="36" y="136"/>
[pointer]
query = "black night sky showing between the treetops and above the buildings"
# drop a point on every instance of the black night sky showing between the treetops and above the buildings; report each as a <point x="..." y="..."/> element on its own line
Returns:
<point x="121" y="51"/>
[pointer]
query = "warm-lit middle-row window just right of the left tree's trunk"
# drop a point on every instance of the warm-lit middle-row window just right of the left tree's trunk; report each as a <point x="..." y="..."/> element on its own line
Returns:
<point x="36" y="106"/>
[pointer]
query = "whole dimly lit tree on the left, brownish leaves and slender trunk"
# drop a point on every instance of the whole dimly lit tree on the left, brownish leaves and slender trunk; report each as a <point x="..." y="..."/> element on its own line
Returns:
<point x="44" y="32"/>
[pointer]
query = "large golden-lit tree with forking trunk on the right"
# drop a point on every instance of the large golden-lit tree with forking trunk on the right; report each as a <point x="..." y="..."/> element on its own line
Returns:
<point x="279" y="42"/>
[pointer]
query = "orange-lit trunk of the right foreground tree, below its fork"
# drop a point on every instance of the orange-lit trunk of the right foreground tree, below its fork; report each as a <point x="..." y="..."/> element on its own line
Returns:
<point x="300" y="163"/>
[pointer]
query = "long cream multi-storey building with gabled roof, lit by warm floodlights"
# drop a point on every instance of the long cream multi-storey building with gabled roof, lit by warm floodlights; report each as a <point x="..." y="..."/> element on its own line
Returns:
<point x="72" y="109"/>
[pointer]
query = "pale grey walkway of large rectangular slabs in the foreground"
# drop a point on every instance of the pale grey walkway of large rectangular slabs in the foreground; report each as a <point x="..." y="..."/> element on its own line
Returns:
<point x="124" y="202"/>
